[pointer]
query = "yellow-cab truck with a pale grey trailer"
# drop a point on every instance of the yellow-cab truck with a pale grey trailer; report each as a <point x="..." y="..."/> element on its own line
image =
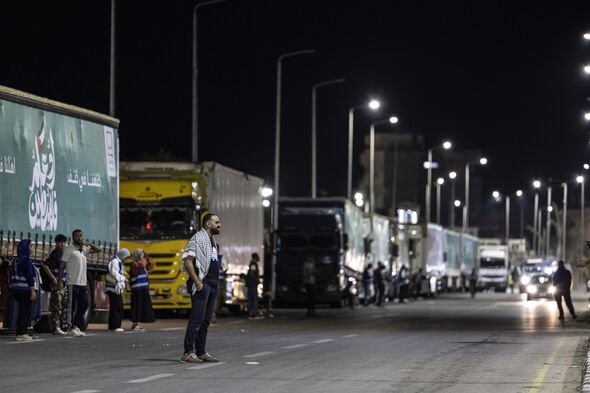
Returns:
<point x="161" y="207"/>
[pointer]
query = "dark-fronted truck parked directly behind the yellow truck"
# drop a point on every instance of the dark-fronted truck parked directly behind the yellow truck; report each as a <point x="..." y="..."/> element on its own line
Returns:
<point x="328" y="230"/>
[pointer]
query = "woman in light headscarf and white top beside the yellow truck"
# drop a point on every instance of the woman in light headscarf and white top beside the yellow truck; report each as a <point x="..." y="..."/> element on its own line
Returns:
<point x="115" y="284"/>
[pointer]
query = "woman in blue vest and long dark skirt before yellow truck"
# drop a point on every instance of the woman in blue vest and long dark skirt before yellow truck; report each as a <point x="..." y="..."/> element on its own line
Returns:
<point x="141" y="304"/>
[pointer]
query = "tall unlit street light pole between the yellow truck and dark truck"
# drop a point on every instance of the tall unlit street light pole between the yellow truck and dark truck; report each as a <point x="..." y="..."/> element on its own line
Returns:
<point x="275" y="223"/>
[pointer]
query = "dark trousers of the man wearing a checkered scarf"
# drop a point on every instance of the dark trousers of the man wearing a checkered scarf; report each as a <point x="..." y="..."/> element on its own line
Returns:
<point x="203" y="304"/>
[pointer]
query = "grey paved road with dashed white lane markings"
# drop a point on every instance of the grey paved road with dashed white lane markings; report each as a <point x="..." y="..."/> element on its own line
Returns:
<point x="494" y="343"/>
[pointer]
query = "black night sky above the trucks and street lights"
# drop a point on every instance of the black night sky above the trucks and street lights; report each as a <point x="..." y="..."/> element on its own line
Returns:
<point x="500" y="76"/>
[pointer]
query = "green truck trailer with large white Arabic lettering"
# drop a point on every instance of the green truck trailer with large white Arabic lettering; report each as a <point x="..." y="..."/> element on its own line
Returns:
<point x="58" y="172"/>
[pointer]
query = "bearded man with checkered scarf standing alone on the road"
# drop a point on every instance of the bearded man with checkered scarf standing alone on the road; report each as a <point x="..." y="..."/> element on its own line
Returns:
<point x="201" y="264"/>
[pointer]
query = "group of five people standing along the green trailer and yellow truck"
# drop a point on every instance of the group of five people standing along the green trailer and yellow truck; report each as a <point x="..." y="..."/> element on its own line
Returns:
<point x="64" y="275"/>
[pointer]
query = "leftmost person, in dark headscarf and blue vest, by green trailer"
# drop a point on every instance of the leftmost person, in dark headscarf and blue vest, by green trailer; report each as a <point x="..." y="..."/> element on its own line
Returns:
<point x="22" y="288"/>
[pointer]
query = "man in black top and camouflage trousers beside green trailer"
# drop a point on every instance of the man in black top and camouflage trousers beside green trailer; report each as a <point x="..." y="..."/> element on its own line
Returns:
<point x="55" y="273"/>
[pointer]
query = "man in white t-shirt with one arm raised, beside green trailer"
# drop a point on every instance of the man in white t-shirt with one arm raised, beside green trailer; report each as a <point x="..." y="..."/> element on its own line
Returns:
<point x="74" y="257"/>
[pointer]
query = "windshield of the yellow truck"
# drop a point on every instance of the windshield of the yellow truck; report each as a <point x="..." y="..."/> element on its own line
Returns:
<point x="155" y="221"/>
